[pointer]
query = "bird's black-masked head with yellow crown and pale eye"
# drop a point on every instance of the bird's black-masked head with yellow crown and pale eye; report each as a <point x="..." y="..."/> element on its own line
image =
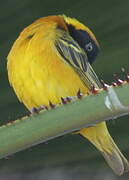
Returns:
<point x="84" y="36"/>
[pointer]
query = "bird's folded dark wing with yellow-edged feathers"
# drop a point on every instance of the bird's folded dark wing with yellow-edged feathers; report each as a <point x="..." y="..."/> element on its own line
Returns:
<point x="74" y="55"/>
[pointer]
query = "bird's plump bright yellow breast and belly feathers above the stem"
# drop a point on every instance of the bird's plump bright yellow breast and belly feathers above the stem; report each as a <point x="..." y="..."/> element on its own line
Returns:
<point x="37" y="73"/>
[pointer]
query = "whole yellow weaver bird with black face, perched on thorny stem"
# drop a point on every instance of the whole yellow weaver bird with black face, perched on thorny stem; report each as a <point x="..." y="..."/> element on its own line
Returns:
<point x="51" y="59"/>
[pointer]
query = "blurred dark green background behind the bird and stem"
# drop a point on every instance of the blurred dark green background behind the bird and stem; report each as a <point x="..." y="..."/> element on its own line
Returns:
<point x="68" y="157"/>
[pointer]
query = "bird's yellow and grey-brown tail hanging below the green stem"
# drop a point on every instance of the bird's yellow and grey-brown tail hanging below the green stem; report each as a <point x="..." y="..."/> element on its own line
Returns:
<point x="100" y="137"/>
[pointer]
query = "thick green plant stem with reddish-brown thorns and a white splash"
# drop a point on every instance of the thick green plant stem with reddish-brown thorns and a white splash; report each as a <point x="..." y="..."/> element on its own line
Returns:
<point x="88" y="111"/>
